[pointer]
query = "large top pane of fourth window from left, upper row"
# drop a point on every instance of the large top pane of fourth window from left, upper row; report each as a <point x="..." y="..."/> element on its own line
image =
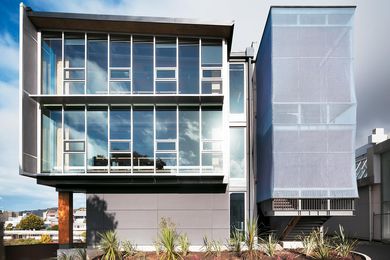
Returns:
<point x="120" y="53"/>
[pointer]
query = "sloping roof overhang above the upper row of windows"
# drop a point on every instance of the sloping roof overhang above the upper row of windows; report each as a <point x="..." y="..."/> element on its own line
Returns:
<point x="132" y="24"/>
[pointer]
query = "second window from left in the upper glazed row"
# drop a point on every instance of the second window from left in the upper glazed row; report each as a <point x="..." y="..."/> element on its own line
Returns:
<point x="74" y="63"/>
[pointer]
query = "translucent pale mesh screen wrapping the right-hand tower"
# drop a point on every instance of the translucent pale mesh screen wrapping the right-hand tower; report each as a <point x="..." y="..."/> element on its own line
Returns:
<point x="313" y="104"/>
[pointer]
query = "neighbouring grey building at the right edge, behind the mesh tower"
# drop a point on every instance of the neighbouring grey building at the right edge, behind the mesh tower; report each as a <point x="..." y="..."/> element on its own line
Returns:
<point x="372" y="220"/>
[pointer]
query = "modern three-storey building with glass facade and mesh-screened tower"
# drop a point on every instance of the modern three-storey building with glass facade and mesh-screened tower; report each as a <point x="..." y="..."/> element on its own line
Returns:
<point x="157" y="118"/>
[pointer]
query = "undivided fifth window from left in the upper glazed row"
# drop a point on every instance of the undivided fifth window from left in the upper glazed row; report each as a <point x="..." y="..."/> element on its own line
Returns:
<point x="142" y="65"/>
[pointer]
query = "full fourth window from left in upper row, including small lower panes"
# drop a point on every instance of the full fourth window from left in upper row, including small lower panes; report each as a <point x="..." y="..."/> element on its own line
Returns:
<point x="120" y="64"/>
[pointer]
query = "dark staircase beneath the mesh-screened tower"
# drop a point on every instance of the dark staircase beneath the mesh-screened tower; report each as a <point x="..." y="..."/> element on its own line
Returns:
<point x="303" y="226"/>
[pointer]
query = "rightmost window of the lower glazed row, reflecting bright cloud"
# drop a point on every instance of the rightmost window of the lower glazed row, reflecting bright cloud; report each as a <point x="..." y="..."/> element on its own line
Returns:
<point x="212" y="139"/>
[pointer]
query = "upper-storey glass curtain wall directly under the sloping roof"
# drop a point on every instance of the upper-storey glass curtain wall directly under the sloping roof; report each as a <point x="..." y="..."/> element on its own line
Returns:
<point x="117" y="63"/>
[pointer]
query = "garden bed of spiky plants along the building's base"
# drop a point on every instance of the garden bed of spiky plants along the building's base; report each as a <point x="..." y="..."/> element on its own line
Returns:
<point x="170" y="245"/>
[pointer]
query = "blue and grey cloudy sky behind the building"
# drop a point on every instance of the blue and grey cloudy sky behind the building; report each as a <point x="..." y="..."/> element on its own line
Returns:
<point x="371" y="67"/>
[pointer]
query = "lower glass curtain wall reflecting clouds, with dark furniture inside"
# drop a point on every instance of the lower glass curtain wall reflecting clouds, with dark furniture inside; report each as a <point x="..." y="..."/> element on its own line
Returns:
<point x="139" y="139"/>
